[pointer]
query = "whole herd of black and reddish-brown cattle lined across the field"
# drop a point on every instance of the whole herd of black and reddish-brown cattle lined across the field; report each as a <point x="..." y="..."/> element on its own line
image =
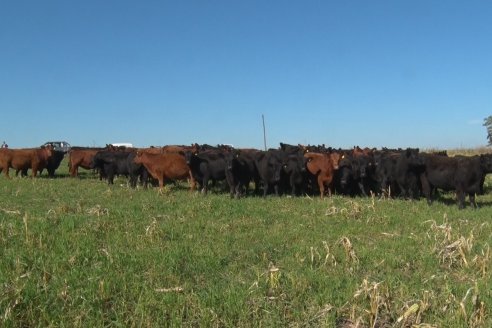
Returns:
<point x="293" y="169"/>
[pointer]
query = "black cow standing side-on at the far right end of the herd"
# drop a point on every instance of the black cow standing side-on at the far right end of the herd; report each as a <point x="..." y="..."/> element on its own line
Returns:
<point x="465" y="175"/>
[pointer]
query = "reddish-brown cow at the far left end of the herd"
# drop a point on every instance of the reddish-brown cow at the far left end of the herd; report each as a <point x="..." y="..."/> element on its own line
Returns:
<point x="24" y="159"/>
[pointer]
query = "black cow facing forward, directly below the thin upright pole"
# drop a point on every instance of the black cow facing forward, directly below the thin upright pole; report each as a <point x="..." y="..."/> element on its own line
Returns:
<point x="269" y="165"/>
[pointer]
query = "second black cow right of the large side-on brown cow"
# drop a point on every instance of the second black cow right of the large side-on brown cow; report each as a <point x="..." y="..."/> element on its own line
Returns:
<point x="240" y="171"/>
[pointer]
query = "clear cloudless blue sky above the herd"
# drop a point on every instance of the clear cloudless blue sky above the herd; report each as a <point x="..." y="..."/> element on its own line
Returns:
<point x="344" y="73"/>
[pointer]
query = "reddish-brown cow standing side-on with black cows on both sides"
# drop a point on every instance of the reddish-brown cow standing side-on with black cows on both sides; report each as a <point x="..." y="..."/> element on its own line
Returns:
<point x="169" y="165"/>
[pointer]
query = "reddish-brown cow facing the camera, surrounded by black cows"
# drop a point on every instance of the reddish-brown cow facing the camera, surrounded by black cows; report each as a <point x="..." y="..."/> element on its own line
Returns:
<point x="322" y="166"/>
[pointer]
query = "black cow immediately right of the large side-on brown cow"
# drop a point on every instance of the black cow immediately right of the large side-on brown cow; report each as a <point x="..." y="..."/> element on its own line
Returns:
<point x="206" y="165"/>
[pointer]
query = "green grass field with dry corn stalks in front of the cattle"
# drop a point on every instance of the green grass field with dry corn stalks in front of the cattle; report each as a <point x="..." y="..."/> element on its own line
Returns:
<point x="78" y="253"/>
